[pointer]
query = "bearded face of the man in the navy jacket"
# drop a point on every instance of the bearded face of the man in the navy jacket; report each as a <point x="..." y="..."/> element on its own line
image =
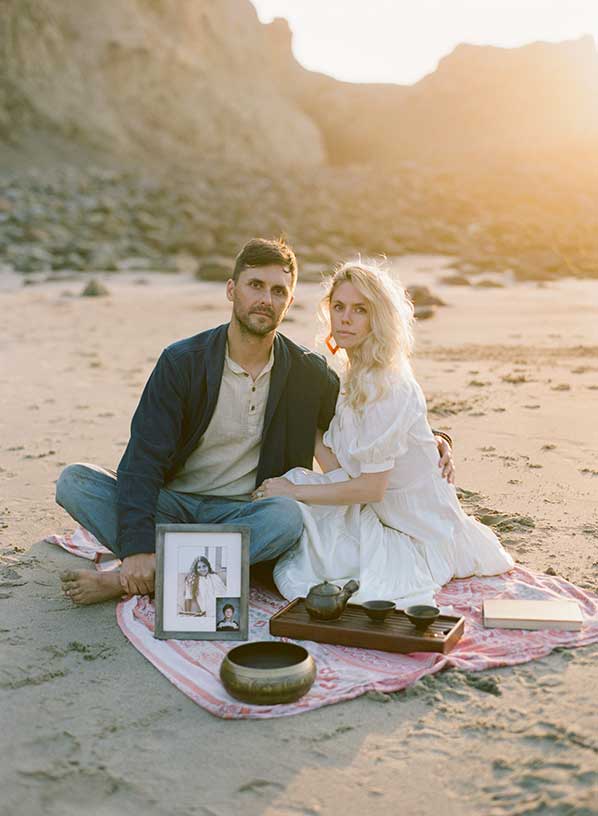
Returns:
<point x="260" y="297"/>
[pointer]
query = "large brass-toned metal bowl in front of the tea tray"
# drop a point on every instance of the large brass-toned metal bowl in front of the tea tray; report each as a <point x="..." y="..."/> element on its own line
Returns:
<point x="268" y="673"/>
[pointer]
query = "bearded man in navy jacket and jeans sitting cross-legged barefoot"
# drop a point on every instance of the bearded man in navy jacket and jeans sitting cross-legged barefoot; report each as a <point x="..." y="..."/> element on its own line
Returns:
<point x="222" y="411"/>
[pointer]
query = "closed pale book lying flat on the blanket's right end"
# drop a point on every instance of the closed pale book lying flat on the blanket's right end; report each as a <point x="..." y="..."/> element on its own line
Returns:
<point x="504" y="613"/>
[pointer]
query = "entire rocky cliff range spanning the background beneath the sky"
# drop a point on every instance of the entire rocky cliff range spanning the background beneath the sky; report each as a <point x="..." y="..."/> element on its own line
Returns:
<point x="196" y="80"/>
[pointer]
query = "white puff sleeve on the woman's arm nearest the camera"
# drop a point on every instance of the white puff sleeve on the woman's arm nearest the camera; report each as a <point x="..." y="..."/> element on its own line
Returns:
<point x="383" y="427"/>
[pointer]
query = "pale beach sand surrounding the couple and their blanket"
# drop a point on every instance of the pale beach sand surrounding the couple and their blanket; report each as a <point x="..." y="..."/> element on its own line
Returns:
<point x="88" y="725"/>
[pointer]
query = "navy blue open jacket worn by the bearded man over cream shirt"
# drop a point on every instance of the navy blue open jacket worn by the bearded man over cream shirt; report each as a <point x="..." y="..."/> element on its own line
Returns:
<point x="176" y="408"/>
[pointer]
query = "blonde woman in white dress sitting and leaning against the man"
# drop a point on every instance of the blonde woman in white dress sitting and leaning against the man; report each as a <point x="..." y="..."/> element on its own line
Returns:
<point x="381" y="511"/>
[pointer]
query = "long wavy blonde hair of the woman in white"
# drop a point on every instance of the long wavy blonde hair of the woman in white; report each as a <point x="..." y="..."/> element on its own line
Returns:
<point x="390" y="341"/>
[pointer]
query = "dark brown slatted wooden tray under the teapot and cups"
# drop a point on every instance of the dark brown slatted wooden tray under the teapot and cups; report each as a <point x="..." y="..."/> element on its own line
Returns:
<point x="354" y="628"/>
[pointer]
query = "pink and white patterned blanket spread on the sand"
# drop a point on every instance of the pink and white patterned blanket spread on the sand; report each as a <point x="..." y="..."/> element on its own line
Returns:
<point x="343" y="672"/>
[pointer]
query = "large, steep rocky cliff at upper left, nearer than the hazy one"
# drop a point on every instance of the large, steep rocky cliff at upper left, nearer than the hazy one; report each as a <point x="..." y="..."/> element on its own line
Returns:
<point x="178" y="80"/>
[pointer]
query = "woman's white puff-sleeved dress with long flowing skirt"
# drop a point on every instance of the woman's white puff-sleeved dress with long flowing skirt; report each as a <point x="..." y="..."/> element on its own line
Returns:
<point x="416" y="539"/>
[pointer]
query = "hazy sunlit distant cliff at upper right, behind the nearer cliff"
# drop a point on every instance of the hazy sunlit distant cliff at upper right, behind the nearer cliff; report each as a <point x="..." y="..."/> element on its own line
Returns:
<point x="480" y="102"/>
